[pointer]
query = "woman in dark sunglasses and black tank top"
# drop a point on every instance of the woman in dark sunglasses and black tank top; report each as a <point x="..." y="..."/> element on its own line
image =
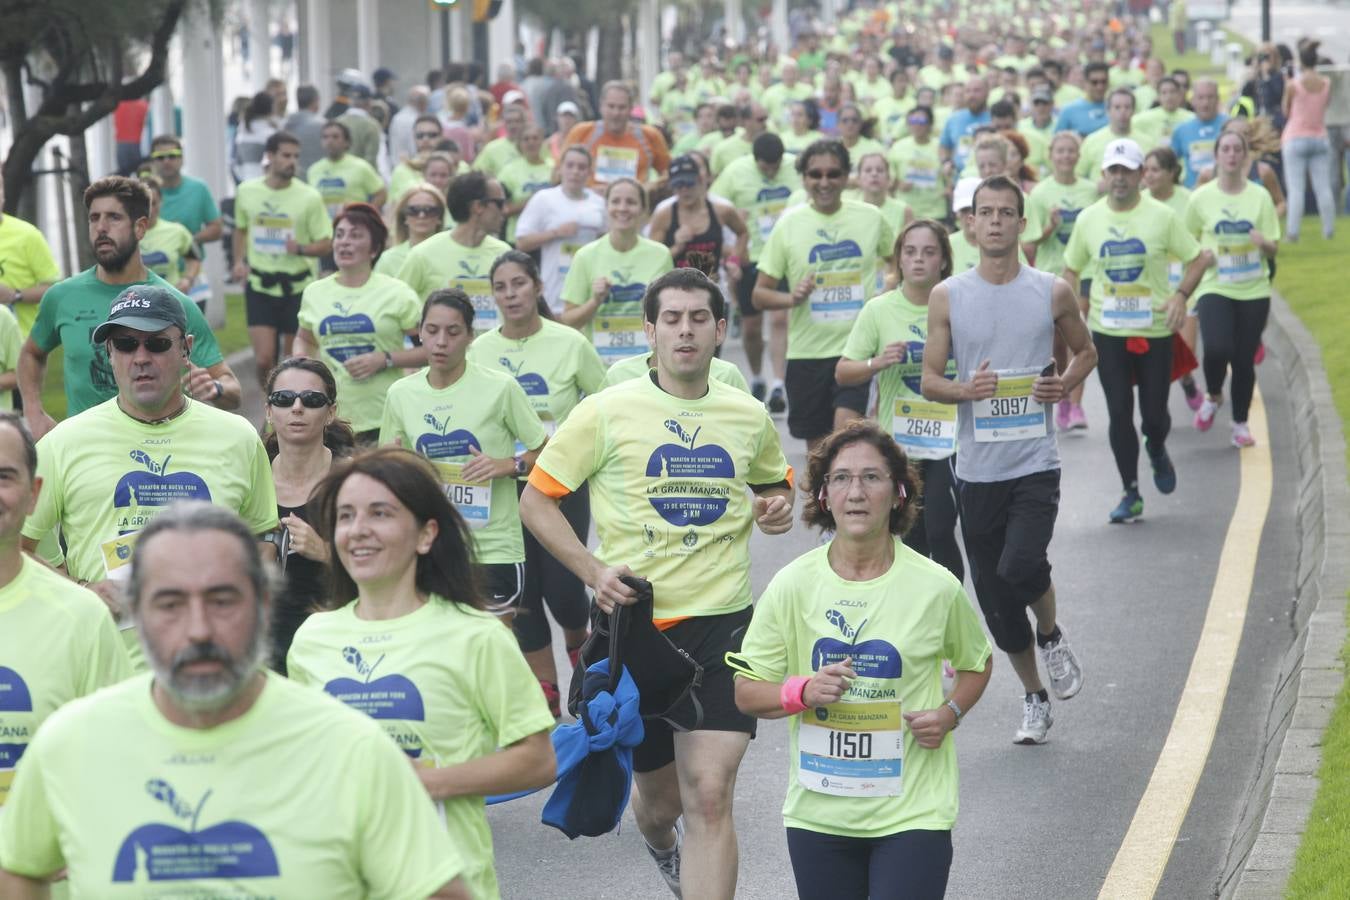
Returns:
<point x="304" y="438"/>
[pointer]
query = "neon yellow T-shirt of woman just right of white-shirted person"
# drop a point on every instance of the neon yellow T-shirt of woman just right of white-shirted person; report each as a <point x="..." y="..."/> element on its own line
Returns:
<point x="616" y="330"/>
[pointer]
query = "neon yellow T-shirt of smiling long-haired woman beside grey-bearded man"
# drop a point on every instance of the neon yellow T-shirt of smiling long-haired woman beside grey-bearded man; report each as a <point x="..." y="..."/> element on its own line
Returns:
<point x="448" y="683"/>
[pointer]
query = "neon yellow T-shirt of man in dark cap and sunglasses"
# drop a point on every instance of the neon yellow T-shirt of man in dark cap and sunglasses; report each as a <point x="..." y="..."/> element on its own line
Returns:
<point x="107" y="476"/>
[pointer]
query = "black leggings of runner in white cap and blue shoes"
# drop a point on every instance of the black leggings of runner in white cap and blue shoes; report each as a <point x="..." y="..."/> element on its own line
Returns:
<point x="1120" y="372"/>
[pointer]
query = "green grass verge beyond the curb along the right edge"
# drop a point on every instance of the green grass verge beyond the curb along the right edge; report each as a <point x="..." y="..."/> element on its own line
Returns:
<point x="1310" y="280"/>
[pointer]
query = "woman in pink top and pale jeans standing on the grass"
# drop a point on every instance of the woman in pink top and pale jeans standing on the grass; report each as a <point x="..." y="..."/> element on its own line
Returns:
<point x="1306" y="150"/>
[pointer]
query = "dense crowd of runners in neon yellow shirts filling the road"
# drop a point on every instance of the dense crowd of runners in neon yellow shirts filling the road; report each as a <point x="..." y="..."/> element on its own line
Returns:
<point x="488" y="327"/>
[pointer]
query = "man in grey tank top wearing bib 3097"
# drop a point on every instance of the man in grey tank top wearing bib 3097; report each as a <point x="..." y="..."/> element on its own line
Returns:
<point x="1000" y="323"/>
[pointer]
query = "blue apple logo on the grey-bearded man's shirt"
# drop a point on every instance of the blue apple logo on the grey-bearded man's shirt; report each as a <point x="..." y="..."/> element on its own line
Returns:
<point x="171" y="853"/>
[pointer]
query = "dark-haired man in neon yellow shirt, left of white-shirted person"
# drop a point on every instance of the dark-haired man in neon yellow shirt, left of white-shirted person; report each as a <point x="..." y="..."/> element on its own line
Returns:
<point x="462" y="257"/>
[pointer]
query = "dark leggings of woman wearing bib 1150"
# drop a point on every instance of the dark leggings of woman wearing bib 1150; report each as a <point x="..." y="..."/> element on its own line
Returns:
<point x="908" y="866"/>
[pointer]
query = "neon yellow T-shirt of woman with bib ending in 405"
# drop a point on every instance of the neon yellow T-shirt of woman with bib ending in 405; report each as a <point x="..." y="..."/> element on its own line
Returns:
<point x="487" y="410"/>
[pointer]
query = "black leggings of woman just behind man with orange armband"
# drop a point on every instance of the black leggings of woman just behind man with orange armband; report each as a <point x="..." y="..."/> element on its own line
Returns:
<point x="547" y="580"/>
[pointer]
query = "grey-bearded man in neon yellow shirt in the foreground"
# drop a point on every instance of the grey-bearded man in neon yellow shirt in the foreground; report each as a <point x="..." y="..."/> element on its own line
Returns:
<point x="169" y="779"/>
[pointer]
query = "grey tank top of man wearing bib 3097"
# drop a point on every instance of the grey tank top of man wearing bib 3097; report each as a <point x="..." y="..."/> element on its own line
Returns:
<point x="1010" y="326"/>
